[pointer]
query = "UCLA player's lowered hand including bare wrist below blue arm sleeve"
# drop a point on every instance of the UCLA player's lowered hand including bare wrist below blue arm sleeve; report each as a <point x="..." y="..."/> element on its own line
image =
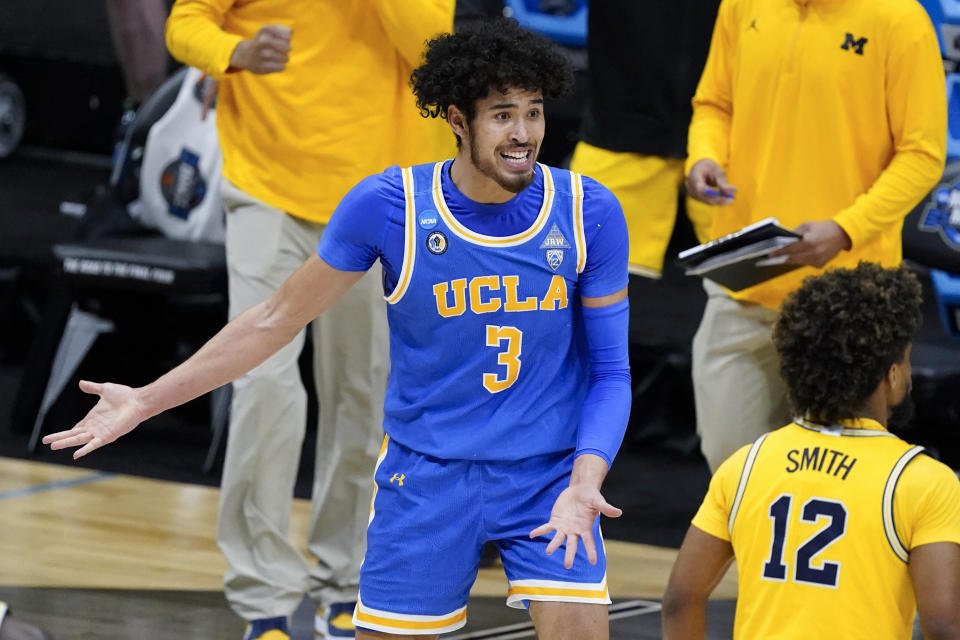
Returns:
<point x="576" y="508"/>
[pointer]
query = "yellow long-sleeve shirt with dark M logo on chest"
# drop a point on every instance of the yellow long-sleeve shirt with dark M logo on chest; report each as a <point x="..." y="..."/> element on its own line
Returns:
<point x="822" y="110"/>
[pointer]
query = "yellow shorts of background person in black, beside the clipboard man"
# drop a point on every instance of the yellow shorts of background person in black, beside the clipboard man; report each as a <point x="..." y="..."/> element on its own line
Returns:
<point x="648" y="189"/>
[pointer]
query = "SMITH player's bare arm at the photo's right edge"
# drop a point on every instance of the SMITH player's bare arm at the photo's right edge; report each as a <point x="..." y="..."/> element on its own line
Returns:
<point x="935" y="573"/>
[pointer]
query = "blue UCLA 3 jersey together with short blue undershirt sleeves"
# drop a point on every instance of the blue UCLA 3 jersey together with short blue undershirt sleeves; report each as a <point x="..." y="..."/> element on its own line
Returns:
<point x="486" y="357"/>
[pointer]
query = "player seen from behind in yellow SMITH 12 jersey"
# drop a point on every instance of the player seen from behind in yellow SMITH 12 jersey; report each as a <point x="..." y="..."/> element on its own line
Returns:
<point x="839" y="528"/>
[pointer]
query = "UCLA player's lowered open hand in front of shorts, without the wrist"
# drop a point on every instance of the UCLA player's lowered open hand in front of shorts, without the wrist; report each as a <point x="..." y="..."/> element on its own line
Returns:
<point x="572" y="519"/>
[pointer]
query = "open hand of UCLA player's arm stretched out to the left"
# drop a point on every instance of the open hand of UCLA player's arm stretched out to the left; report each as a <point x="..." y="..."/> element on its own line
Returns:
<point x="116" y="413"/>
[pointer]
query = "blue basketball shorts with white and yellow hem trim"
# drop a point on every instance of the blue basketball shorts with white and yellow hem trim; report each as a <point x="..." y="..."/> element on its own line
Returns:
<point x="429" y="521"/>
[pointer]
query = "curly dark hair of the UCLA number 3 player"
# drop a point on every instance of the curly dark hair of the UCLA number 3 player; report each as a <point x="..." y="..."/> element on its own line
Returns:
<point x="461" y="68"/>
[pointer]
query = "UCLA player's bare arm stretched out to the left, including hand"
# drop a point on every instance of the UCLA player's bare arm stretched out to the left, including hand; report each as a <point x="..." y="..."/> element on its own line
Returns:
<point x="244" y="343"/>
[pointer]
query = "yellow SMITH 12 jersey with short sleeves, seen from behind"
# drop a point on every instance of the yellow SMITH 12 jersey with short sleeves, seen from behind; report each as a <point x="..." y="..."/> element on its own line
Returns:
<point x="822" y="520"/>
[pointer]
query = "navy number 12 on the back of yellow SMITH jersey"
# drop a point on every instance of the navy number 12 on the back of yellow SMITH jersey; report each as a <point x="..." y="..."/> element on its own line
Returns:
<point x="827" y="573"/>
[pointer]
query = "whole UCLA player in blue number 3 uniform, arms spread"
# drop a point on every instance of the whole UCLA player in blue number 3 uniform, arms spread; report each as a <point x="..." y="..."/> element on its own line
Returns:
<point x="505" y="282"/>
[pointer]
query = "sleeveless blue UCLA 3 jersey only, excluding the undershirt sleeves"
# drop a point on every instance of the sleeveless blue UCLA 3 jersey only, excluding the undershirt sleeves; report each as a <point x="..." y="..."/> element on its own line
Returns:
<point x="486" y="357"/>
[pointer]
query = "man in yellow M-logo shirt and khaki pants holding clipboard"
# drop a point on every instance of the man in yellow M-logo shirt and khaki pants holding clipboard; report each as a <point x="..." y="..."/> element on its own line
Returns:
<point x="830" y="116"/>
